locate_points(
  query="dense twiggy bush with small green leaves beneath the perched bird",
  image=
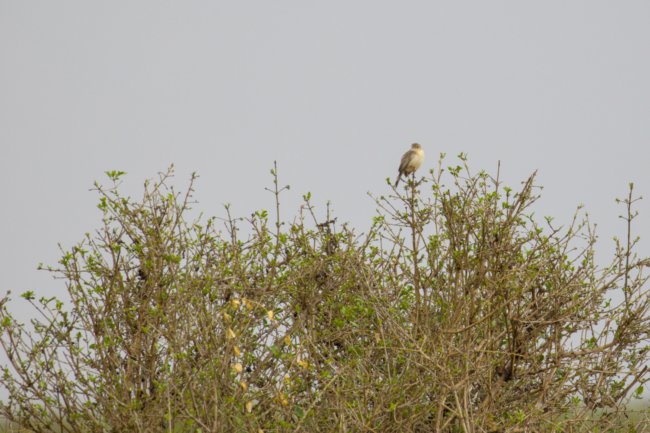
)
(457, 311)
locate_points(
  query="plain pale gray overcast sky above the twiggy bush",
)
(334, 90)
